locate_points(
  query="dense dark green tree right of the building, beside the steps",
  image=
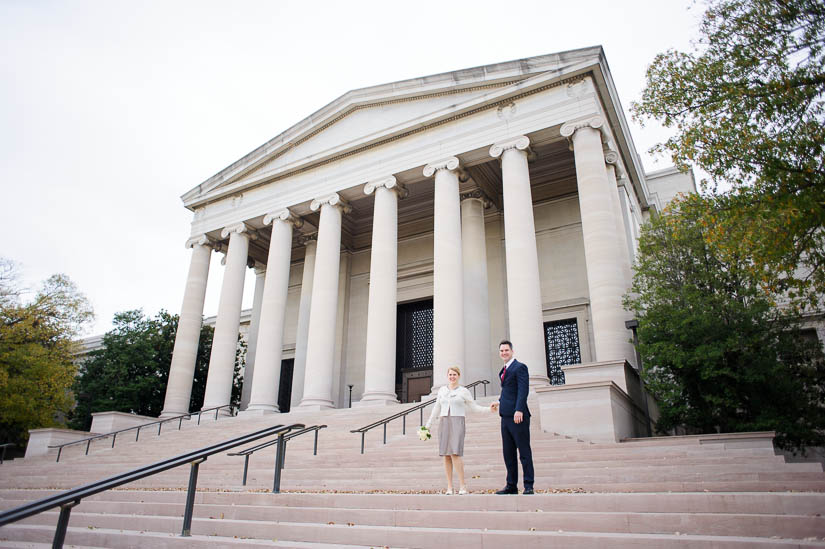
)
(718, 353)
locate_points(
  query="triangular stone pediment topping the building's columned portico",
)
(371, 114)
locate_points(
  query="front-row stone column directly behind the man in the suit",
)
(523, 281)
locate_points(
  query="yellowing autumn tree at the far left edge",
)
(36, 351)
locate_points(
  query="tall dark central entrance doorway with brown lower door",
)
(414, 350)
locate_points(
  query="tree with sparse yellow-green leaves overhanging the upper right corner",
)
(748, 107)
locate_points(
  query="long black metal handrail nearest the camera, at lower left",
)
(70, 498)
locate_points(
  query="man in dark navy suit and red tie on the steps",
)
(515, 420)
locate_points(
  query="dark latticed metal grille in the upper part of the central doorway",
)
(414, 337)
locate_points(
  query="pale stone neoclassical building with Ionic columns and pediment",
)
(410, 226)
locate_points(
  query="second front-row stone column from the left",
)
(225, 340)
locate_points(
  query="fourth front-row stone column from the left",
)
(321, 336)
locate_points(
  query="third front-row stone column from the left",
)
(264, 396)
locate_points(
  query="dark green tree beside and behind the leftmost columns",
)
(130, 371)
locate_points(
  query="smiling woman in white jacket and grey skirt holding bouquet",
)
(449, 407)
